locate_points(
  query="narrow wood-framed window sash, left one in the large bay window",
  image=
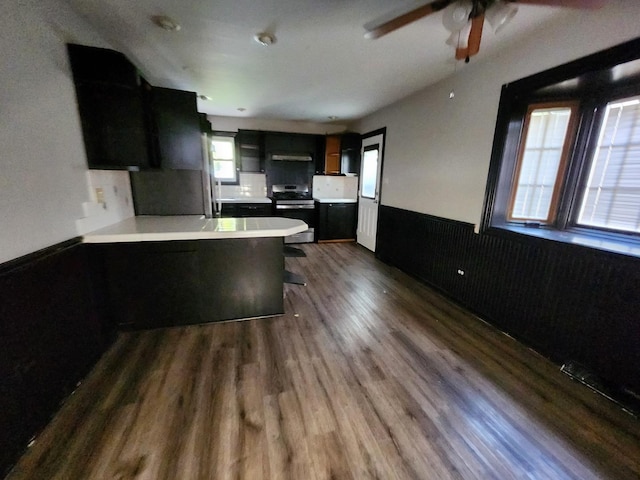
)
(541, 164)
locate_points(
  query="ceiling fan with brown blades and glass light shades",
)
(465, 19)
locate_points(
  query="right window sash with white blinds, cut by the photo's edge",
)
(611, 197)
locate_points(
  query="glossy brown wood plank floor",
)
(368, 375)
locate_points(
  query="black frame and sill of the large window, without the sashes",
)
(593, 82)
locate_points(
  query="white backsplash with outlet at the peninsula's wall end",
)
(111, 200)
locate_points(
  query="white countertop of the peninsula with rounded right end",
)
(193, 227)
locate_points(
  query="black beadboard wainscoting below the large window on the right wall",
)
(569, 303)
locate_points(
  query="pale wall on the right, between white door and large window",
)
(438, 150)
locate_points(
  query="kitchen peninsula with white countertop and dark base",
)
(177, 270)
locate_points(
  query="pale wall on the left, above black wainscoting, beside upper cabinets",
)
(43, 180)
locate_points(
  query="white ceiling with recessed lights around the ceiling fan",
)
(321, 65)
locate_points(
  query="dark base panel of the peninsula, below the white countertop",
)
(160, 284)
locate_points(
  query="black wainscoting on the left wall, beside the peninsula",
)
(51, 335)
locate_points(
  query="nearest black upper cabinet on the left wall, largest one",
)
(111, 108)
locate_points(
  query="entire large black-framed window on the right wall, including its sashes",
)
(566, 154)
